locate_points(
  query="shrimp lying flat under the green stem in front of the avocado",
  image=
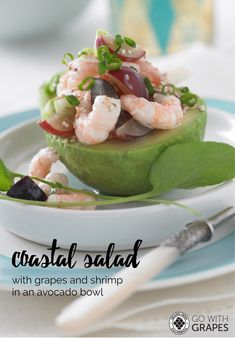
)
(76, 197)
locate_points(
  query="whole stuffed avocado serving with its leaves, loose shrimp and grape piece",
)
(123, 128)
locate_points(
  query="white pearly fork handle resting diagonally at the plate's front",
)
(84, 311)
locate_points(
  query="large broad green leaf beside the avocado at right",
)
(193, 165)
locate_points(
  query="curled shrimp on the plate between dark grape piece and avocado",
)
(41, 163)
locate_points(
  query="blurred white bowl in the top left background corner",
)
(29, 18)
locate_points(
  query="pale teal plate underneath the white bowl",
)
(210, 261)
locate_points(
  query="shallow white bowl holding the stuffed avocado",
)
(123, 225)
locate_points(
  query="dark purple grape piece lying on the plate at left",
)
(27, 189)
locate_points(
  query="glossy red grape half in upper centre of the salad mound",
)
(128, 81)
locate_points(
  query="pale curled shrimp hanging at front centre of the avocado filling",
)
(94, 128)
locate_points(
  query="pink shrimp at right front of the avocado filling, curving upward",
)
(165, 115)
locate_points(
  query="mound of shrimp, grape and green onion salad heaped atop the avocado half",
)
(113, 92)
